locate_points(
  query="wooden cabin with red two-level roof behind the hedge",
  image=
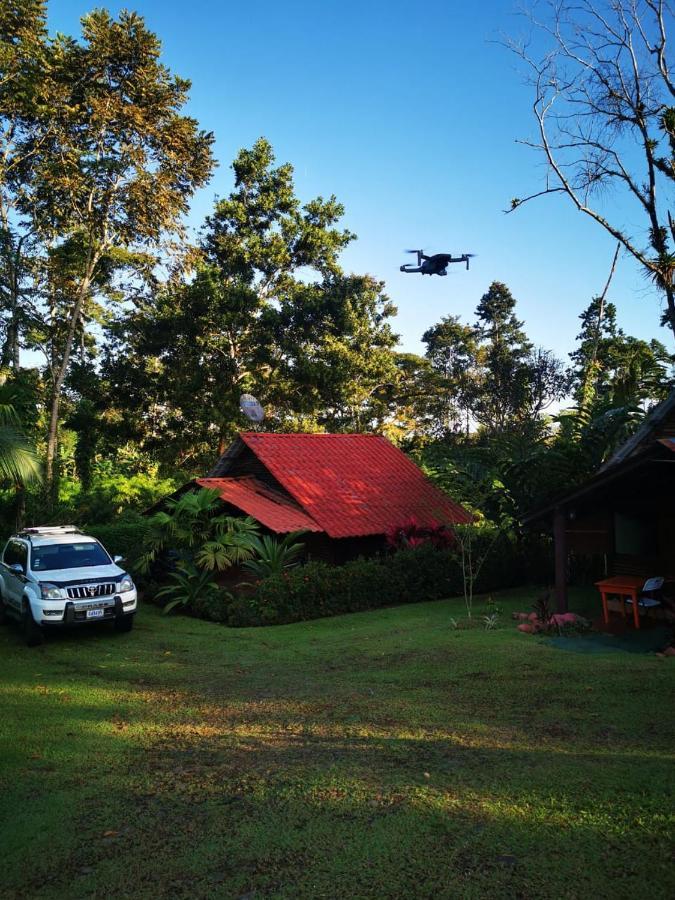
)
(346, 491)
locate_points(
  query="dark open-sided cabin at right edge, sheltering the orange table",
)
(622, 520)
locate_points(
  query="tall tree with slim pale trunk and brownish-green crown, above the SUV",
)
(112, 162)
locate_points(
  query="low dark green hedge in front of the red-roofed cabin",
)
(317, 589)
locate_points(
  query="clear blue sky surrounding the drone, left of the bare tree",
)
(409, 116)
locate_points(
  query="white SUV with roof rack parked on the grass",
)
(58, 576)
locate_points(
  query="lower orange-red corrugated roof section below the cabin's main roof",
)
(268, 507)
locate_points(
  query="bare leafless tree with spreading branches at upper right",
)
(604, 103)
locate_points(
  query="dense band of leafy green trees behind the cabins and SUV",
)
(148, 339)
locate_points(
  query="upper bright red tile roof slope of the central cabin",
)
(352, 484)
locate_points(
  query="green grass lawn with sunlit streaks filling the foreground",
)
(378, 755)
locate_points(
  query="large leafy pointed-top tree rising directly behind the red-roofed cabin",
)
(262, 306)
